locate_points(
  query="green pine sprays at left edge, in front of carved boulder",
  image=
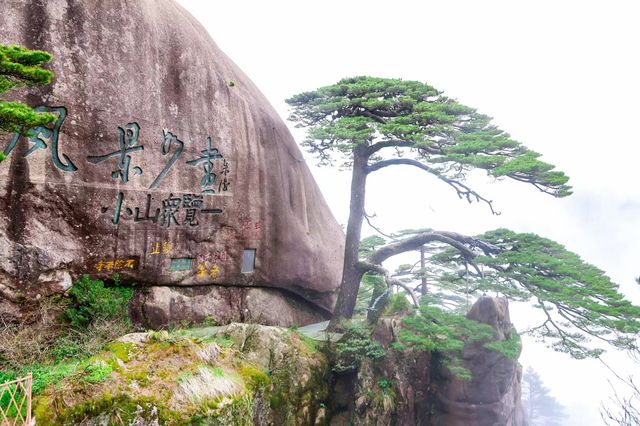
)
(21, 67)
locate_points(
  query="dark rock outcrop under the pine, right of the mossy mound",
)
(410, 387)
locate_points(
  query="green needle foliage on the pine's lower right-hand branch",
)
(579, 303)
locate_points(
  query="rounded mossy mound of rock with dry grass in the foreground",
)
(240, 374)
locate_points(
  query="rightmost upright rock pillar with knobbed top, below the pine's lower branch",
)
(492, 397)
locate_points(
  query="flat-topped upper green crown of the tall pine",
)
(421, 123)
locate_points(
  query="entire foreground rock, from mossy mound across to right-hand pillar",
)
(253, 374)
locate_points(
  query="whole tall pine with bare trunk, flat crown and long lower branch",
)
(368, 124)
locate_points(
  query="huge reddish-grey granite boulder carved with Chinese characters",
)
(166, 165)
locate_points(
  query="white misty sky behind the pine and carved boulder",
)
(562, 77)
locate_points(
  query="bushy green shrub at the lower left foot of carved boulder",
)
(91, 301)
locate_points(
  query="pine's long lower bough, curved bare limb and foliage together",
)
(578, 301)
